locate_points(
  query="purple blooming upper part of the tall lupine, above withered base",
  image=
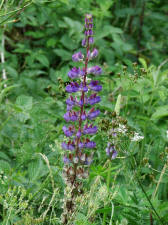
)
(82, 93)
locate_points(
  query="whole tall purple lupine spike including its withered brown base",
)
(78, 158)
